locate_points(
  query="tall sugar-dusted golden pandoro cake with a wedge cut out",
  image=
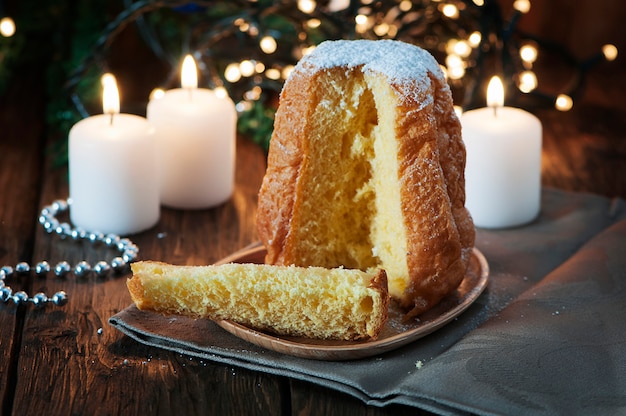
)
(366, 169)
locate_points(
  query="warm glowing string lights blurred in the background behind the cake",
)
(455, 28)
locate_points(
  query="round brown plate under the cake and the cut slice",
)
(395, 334)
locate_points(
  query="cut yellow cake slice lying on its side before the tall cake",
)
(313, 302)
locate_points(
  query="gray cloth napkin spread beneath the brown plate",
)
(548, 335)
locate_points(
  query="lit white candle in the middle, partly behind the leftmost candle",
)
(196, 134)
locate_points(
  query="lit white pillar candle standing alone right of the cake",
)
(503, 168)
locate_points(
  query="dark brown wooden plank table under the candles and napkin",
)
(70, 361)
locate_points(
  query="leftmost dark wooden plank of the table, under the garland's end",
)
(20, 172)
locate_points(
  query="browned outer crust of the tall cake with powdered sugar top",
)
(431, 163)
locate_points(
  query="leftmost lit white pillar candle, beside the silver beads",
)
(113, 170)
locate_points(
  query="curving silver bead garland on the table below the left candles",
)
(48, 219)
